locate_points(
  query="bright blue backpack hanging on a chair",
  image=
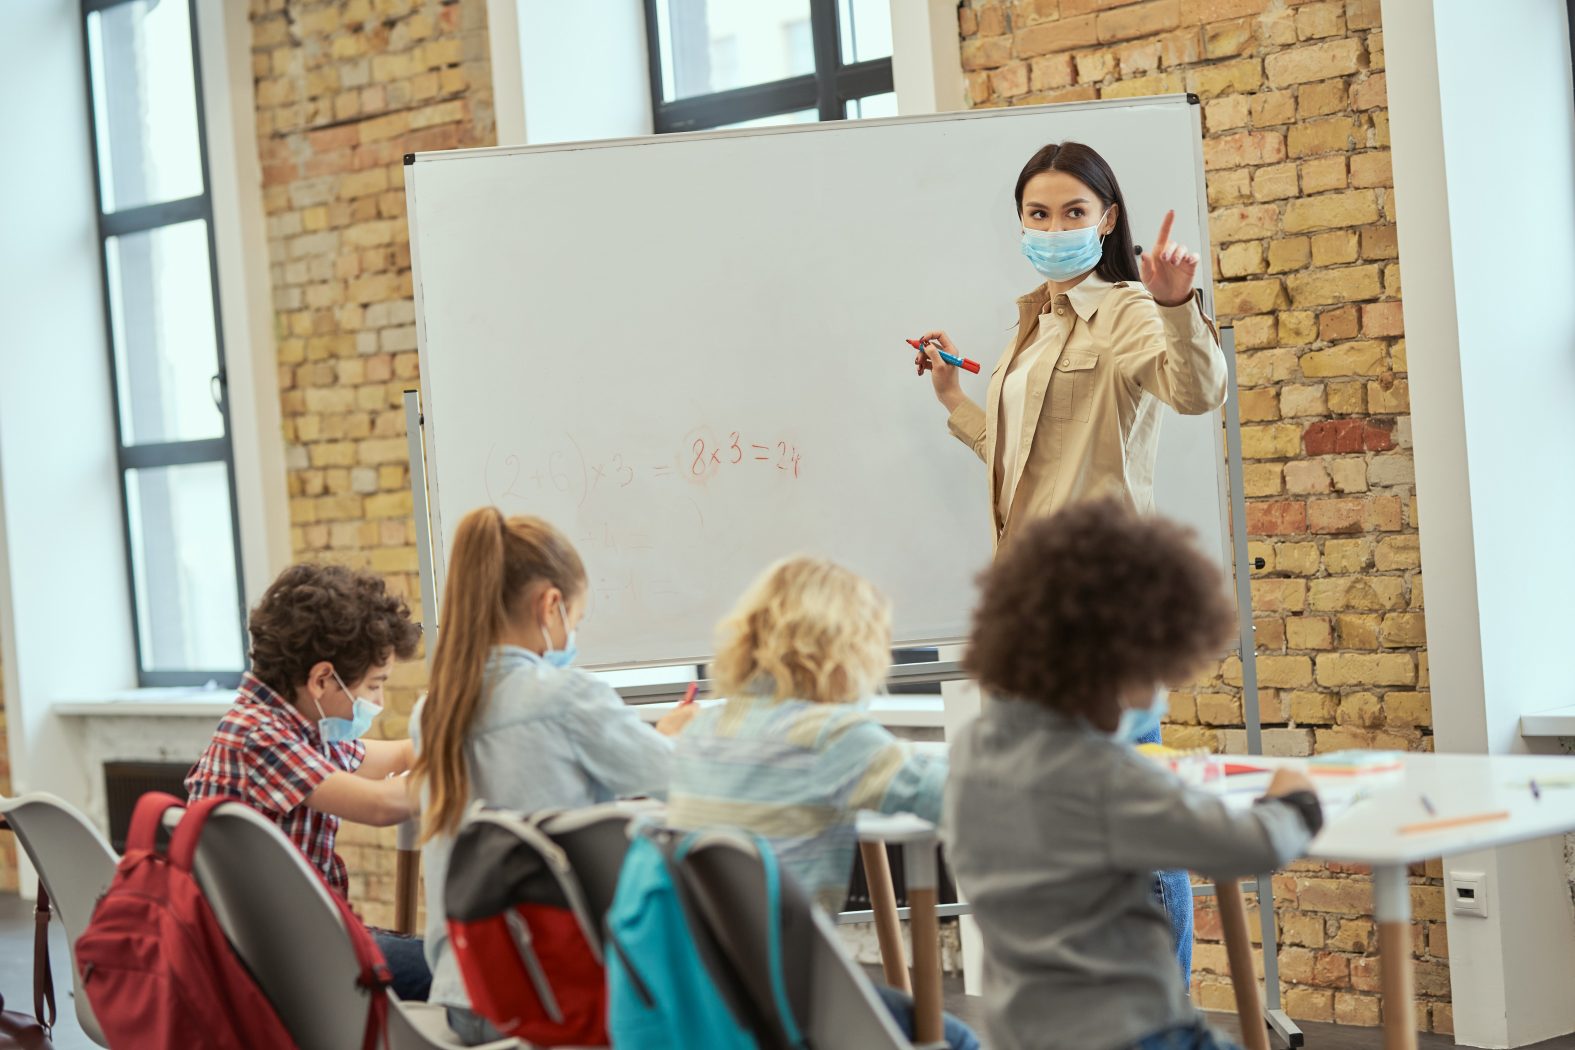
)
(662, 994)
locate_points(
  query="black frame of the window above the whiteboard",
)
(828, 91)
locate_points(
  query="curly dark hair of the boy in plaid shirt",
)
(314, 613)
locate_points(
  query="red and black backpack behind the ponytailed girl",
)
(524, 934)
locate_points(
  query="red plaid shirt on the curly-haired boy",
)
(269, 756)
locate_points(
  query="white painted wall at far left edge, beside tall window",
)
(65, 615)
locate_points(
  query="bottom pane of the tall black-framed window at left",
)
(183, 566)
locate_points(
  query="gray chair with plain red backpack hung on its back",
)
(289, 933)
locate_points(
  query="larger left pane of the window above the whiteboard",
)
(721, 45)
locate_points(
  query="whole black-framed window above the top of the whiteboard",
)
(749, 64)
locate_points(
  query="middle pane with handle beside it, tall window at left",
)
(161, 316)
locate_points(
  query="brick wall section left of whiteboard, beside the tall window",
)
(344, 91)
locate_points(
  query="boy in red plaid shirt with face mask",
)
(324, 643)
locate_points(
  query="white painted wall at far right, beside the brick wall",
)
(1484, 160)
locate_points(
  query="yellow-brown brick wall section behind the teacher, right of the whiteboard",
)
(1302, 216)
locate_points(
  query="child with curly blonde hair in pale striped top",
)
(791, 755)
